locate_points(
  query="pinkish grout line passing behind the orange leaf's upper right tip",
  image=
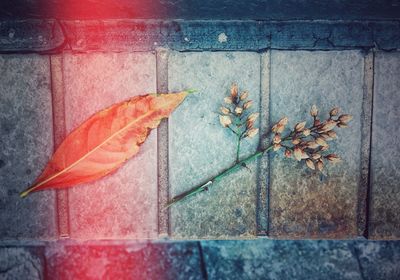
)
(162, 146)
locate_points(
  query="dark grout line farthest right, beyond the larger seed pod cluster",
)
(365, 184)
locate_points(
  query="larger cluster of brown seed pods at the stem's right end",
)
(309, 144)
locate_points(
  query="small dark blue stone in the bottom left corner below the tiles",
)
(21, 263)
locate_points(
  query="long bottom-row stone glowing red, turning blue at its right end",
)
(127, 261)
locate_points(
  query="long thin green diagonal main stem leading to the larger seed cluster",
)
(217, 178)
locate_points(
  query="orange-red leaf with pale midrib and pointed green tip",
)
(105, 141)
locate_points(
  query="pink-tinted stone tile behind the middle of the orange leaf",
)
(123, 204)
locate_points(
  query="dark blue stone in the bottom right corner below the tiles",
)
(379, 260)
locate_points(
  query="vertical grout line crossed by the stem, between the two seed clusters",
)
(263, 174)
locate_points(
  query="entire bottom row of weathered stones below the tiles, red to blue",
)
(255, 259)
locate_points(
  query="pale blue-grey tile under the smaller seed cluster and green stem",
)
(200, 148)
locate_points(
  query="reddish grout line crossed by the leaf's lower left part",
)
(59, 133)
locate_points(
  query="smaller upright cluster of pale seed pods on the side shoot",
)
(236, 114)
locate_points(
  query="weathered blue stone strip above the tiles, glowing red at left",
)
(49, 36)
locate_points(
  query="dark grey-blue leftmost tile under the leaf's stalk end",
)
(26, 143)
